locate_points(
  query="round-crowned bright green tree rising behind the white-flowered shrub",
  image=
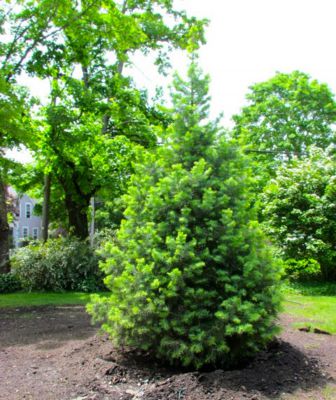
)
(284, 117)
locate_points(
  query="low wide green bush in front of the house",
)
(59, 264)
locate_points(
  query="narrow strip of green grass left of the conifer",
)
(41, 299)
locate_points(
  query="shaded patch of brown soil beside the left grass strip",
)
(47, 326)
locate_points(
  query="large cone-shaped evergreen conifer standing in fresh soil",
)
(191, 277)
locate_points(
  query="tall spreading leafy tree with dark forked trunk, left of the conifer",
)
(83, 49)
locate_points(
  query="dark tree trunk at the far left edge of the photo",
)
(4, 232)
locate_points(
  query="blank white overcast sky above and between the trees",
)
(248, 41)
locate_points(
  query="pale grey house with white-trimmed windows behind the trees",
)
(25, 225)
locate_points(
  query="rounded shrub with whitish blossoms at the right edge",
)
(299, 211)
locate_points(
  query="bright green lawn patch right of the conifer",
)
(314, 305)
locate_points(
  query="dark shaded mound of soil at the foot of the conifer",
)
(282, 368)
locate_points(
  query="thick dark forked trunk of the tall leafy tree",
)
(77, 213)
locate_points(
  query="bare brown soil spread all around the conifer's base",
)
(54, 353)
